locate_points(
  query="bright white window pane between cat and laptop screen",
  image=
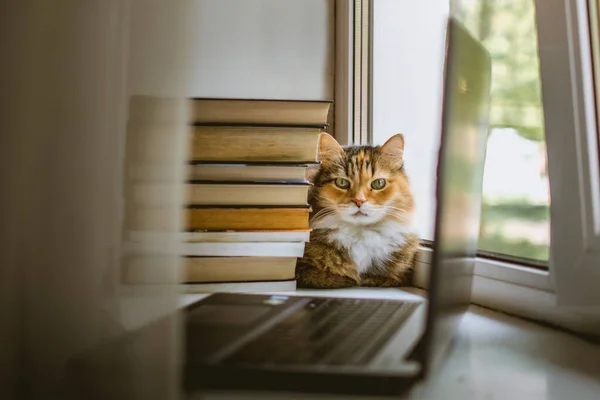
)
(408, 65)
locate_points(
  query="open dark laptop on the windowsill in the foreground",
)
(349, 345)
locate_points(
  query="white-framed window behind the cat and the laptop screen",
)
(543, 102)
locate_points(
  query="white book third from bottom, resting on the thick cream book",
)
(238, 249)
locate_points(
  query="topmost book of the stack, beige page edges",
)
(240, 111)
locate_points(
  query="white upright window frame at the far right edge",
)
(573, 167)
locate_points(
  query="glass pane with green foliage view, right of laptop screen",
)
(515, 215)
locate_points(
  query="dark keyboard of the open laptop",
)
(327, 332)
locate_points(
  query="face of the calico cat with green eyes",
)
(361, 185)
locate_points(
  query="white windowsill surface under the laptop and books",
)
(496, 356)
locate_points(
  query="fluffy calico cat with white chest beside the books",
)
(361, 219)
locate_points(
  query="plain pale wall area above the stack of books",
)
(279, 49)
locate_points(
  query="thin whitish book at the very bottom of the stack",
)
(239, 287)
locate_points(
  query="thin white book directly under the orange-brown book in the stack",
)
(272, 236)
